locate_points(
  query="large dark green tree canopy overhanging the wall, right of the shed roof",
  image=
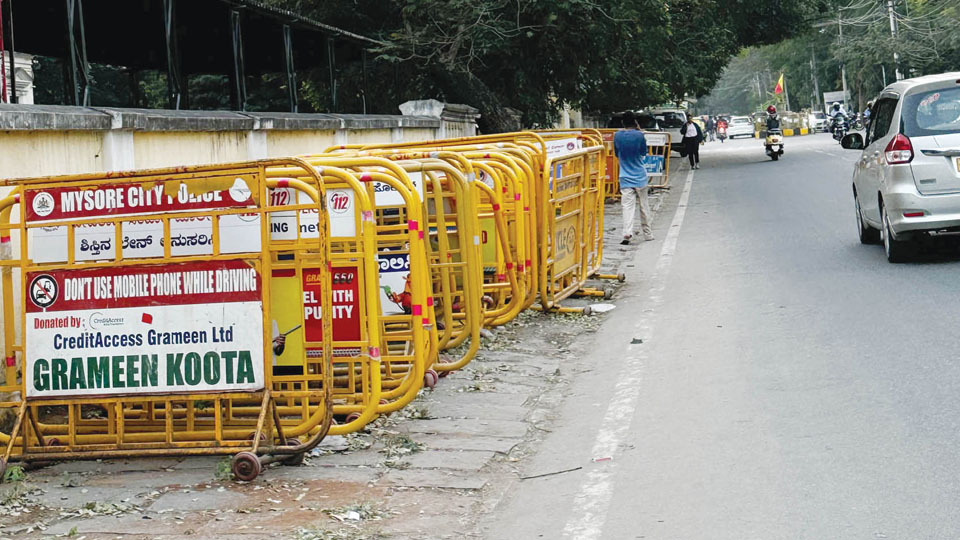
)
(534, 56)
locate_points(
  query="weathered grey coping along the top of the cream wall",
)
(17, 117)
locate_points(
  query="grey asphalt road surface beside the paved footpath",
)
(790, 383)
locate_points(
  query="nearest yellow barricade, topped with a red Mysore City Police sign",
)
(147, 321)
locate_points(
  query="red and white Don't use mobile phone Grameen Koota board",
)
(163, 329)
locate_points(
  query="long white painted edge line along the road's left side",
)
(590, 506)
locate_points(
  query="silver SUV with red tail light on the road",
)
(907, 182)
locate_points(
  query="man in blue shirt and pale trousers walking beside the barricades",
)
(629, 145)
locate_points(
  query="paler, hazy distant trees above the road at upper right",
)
(926, 42)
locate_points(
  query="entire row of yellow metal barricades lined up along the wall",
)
(251, 309)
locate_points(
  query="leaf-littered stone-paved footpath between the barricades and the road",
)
(431, 470)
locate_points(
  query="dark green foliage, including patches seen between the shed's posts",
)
(506, 57)
